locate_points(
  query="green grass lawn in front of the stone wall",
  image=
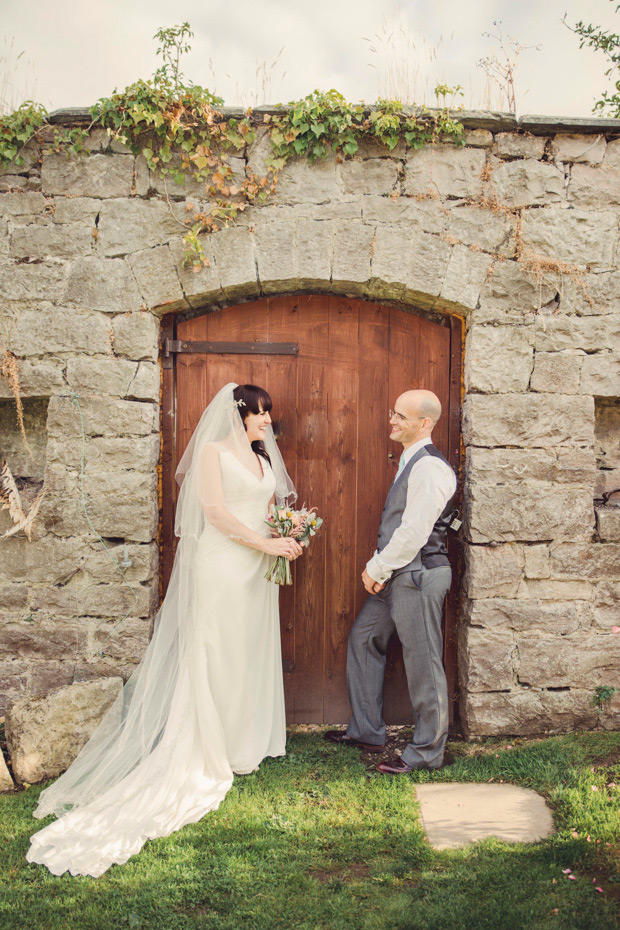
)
(314, 841)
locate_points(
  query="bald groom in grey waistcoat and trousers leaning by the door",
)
(407, 579)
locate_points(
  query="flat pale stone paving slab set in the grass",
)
(456, 814)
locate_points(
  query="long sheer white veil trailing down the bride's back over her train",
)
(157, 760)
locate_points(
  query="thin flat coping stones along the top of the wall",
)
(471, 119)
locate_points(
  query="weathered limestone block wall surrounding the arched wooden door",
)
(516, 232)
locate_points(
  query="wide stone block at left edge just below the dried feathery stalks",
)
(46, 560)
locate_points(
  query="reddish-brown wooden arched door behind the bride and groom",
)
(330, 407)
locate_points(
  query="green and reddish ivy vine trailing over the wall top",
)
(176, 126)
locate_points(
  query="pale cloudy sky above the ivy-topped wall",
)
(273, 51)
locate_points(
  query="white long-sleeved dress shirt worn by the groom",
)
(430, 486)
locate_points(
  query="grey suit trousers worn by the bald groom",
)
(412, 609)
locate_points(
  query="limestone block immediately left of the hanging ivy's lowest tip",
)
(133, 225)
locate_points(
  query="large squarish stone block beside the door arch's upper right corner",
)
(498, 359)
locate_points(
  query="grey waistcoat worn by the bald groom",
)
(434, 552)
